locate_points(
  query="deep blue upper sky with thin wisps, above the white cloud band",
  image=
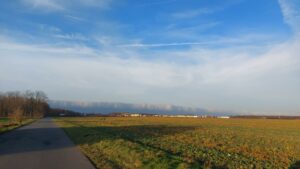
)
(146, 22)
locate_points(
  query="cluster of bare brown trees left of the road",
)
(29, 104)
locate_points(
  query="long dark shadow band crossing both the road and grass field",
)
(39, 138)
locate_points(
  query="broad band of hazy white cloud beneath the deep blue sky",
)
(223, 79)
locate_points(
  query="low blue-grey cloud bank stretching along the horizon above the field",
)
(111, 107)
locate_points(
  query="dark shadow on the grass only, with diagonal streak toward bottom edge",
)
(139, 135)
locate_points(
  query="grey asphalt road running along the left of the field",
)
(40, 145)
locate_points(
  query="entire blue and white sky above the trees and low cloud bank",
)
(222, 55)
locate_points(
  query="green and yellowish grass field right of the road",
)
(155, 142)
